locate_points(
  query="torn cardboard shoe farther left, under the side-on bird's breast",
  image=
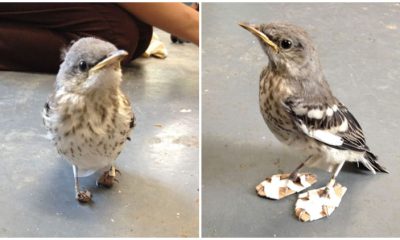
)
(280, 185)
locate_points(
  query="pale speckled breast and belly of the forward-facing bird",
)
(91, 135)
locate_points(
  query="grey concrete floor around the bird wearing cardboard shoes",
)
(359, 46)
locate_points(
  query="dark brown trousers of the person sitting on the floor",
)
(32, 35)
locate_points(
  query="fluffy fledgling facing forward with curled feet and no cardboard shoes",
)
(87, 116)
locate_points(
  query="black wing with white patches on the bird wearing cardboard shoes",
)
(332, 124)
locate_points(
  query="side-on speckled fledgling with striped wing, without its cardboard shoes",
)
(299, 107)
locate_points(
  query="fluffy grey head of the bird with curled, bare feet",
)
(90, 64)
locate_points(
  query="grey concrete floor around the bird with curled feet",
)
(158, 191)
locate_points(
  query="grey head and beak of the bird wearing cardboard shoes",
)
(288, 46)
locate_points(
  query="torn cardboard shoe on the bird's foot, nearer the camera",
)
(319, 203)
